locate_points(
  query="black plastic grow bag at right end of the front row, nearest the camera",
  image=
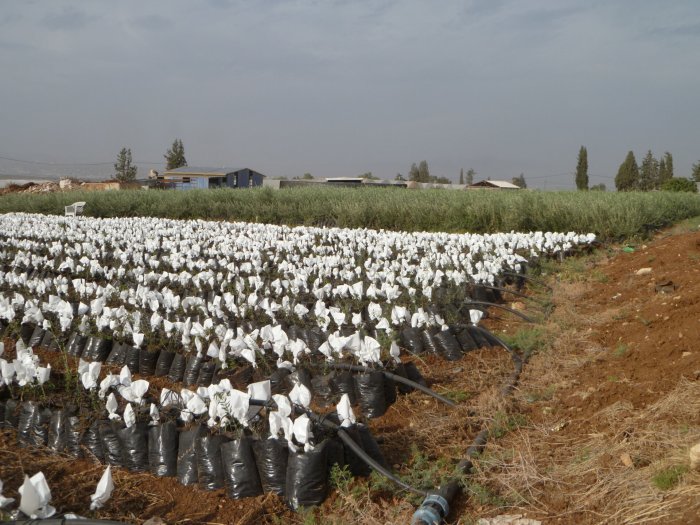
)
(307, 477)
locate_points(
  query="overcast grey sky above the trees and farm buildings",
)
(337, 88)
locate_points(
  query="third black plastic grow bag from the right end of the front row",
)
(240, 470)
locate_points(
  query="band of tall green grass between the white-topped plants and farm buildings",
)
(609, 215)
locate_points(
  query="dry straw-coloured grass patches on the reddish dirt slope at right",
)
(611, 472)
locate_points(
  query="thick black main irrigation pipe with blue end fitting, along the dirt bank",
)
(436, 505)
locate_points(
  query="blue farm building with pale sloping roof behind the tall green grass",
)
(189, 178)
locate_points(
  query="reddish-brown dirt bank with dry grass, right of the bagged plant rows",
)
(614, 404)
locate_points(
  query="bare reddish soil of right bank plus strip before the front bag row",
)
(610, 399)
